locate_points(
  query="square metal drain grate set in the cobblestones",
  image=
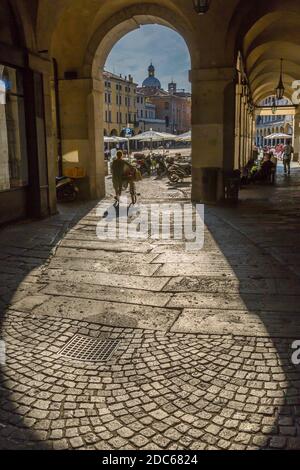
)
(83, 348)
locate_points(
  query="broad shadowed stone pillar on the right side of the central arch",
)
(213, 126)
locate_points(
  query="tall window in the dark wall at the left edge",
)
(13, 154)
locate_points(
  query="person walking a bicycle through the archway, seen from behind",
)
(123, 174)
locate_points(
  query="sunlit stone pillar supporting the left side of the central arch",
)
(82, 136)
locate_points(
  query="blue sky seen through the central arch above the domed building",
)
(159, 44)
